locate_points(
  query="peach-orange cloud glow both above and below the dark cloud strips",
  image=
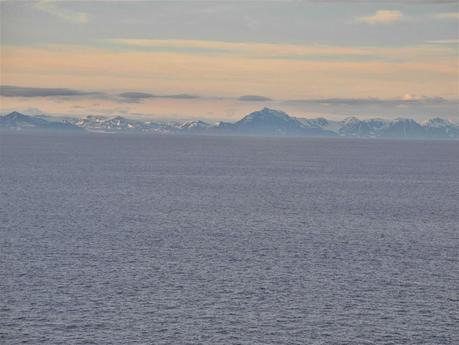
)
(278, 72)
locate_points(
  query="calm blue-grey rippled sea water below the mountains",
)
(108, 239)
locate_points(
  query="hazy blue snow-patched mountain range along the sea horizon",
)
(265, 122)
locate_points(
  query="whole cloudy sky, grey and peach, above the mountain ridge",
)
(219, 60)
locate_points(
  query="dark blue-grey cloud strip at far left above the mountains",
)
(18, 91)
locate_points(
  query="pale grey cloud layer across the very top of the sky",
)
(249, 21)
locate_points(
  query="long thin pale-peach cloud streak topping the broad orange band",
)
(272, 51)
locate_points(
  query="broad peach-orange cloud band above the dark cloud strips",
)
(421, 69)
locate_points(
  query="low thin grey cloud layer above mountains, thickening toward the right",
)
(410, 105)
